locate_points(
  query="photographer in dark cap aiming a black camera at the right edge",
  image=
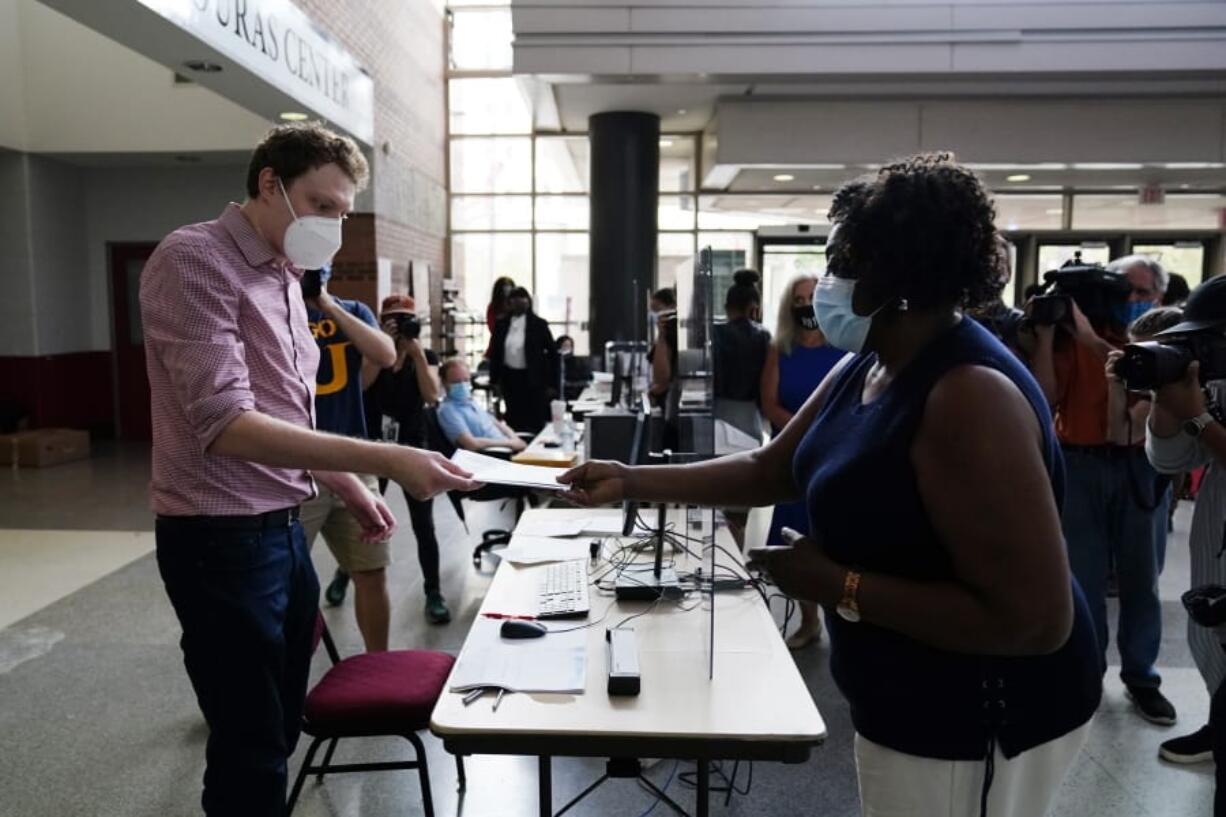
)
(1185, 434)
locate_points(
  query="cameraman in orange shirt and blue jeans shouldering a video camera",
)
(1077, 324)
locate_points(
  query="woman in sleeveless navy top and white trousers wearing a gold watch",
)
(934, 481)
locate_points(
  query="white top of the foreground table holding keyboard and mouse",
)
(757, 695)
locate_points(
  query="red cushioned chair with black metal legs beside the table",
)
(375, 695)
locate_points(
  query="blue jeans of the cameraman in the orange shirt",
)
(1103, 518)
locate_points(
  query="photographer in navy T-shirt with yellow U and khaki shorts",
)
(349, 340)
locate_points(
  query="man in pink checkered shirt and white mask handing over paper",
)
(232, 376)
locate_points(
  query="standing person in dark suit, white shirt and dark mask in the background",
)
(524, 364)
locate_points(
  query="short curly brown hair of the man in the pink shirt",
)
(294, 150)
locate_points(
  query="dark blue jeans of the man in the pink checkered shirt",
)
(248, 604)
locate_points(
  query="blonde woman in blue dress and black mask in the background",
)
(799, 361)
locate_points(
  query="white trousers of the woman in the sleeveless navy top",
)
(893, 784)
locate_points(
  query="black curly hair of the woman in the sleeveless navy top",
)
(923, 229)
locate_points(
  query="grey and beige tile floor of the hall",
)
(97, 716)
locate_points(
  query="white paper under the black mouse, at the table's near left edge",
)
(556, 663)
